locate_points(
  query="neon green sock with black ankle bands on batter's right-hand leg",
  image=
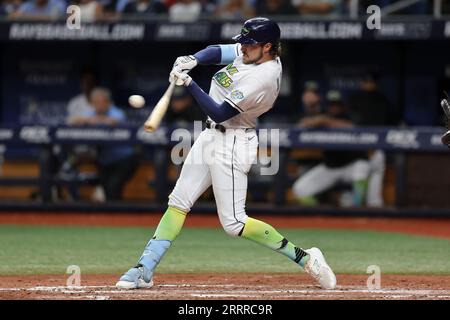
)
(266, 235)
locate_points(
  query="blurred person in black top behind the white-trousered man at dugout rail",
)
(369, 107)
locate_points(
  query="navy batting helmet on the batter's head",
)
(258, 30)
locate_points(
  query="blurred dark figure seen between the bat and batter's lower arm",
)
(183, 110)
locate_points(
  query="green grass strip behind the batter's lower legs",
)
(50, 249)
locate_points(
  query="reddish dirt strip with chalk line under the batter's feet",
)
(228, 287)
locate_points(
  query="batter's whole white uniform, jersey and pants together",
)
(223, 160)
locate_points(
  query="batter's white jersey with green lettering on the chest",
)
(251, 89)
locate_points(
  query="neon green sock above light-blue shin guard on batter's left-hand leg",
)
(170, 224)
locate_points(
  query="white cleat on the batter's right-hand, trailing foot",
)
(318, 268)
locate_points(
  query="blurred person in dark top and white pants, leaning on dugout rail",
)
(350, 167)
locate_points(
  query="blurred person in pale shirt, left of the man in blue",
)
(79, 105)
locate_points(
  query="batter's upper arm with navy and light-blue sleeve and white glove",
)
(220, 54)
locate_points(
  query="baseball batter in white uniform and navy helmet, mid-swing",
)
(240, 92)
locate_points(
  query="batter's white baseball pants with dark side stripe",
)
(222, 160)
